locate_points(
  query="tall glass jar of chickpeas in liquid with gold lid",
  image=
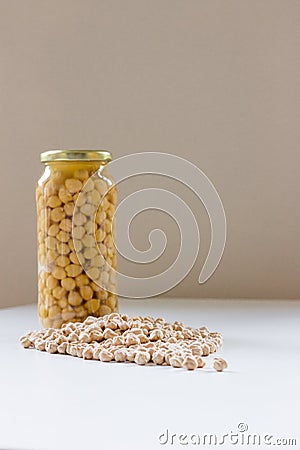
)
(76, 201)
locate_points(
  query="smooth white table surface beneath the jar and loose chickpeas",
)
(60, 402)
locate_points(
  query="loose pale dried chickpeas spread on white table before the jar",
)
(117, 337)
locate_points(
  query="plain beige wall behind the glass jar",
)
(216, 82)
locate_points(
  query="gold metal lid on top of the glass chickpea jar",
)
(76, 155)
